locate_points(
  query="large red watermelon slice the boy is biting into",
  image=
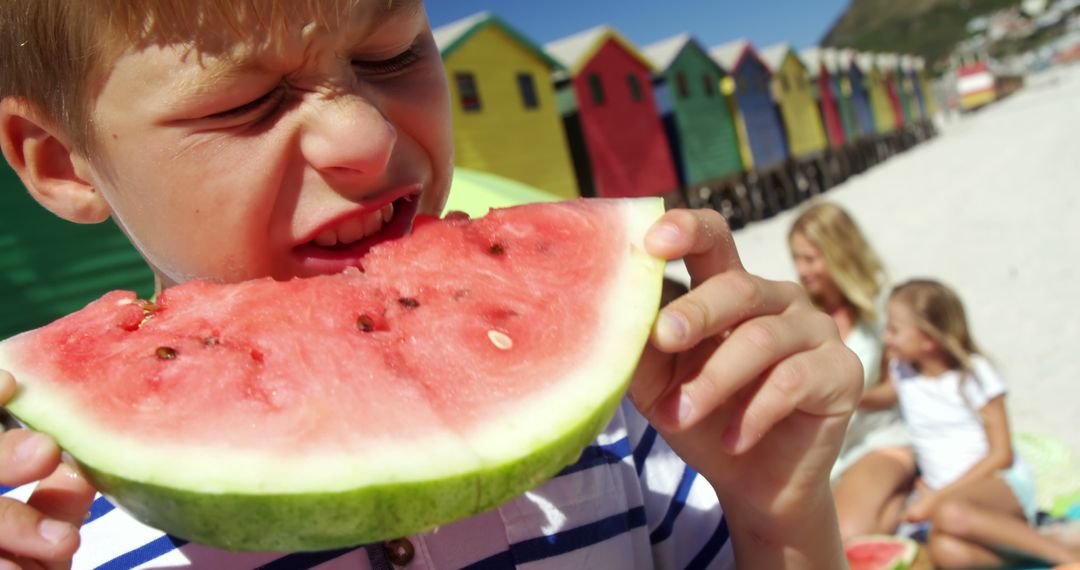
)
(465, 365)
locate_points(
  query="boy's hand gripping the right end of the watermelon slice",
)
(745, 378)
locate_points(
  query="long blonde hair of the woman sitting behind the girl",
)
(850, 261)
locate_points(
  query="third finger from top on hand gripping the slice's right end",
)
(742, 359)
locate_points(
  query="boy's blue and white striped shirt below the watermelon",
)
(629, 503)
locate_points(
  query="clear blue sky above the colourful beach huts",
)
(764, 22)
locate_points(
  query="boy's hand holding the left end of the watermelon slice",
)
(44, 533)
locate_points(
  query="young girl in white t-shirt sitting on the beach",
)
(977, 494)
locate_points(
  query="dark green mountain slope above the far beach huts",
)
(929, 29)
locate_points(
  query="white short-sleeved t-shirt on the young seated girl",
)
(942, 416)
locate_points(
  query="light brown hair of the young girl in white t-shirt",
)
(940, 314)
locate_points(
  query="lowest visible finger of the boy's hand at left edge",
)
(26, 533)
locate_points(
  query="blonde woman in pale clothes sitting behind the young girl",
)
(846, 279)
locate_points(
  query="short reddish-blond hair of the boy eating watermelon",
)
(56, 53)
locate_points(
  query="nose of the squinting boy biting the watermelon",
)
(348, 135)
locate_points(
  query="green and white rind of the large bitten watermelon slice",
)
(360, 512)
